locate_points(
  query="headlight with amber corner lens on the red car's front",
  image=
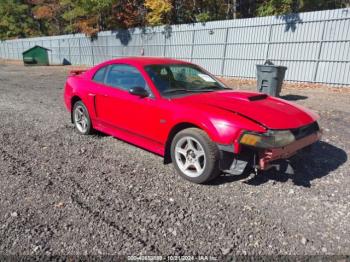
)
(270, 139)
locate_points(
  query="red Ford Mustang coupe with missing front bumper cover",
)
(180, 111)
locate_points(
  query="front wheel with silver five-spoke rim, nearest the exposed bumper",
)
(194, 156)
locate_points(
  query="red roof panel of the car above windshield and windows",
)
(144, 60)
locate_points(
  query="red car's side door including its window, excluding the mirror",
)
(118, 109)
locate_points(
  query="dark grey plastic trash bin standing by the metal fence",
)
(270, 78)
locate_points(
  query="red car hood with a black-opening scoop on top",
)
(271, 112)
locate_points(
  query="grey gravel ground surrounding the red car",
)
(62, 193)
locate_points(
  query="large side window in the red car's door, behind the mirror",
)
(125, 77)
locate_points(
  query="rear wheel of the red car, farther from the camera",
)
(81, 119)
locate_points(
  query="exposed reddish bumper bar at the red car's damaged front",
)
(271, 154)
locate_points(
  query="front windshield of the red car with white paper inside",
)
(180, 78)
